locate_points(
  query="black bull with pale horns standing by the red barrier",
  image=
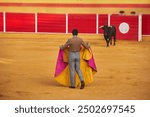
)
(109, 32)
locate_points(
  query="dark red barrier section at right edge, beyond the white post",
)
(146, 24)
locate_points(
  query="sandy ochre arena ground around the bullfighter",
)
(27, 67)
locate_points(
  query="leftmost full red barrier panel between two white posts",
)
(20, 22)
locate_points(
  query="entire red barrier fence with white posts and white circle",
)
(128, 27)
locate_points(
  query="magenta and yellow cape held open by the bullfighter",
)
(87, 66)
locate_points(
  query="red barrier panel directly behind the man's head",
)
(85, 23)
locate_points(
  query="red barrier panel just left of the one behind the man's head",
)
(52, 23)
